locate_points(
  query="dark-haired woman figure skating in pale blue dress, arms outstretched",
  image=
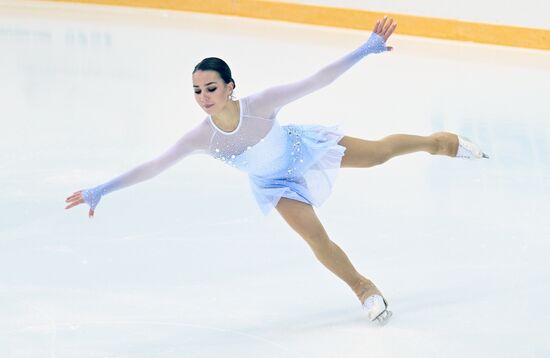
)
(290, 167)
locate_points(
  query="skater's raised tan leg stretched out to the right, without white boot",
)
(361, 153)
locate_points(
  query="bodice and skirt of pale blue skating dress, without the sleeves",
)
(299, 162)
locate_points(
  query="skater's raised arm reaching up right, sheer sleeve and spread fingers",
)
(274, 98)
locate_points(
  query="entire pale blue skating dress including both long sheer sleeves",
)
(298, 162)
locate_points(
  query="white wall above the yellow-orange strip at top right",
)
(526, 13)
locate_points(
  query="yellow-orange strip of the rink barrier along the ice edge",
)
(412, 25)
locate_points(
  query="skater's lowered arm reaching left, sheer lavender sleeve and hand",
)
(194, 141)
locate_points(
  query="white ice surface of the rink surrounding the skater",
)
(185, 265)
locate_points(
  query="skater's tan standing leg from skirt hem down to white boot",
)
(302, 218)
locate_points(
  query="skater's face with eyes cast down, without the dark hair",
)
(211, 92)
